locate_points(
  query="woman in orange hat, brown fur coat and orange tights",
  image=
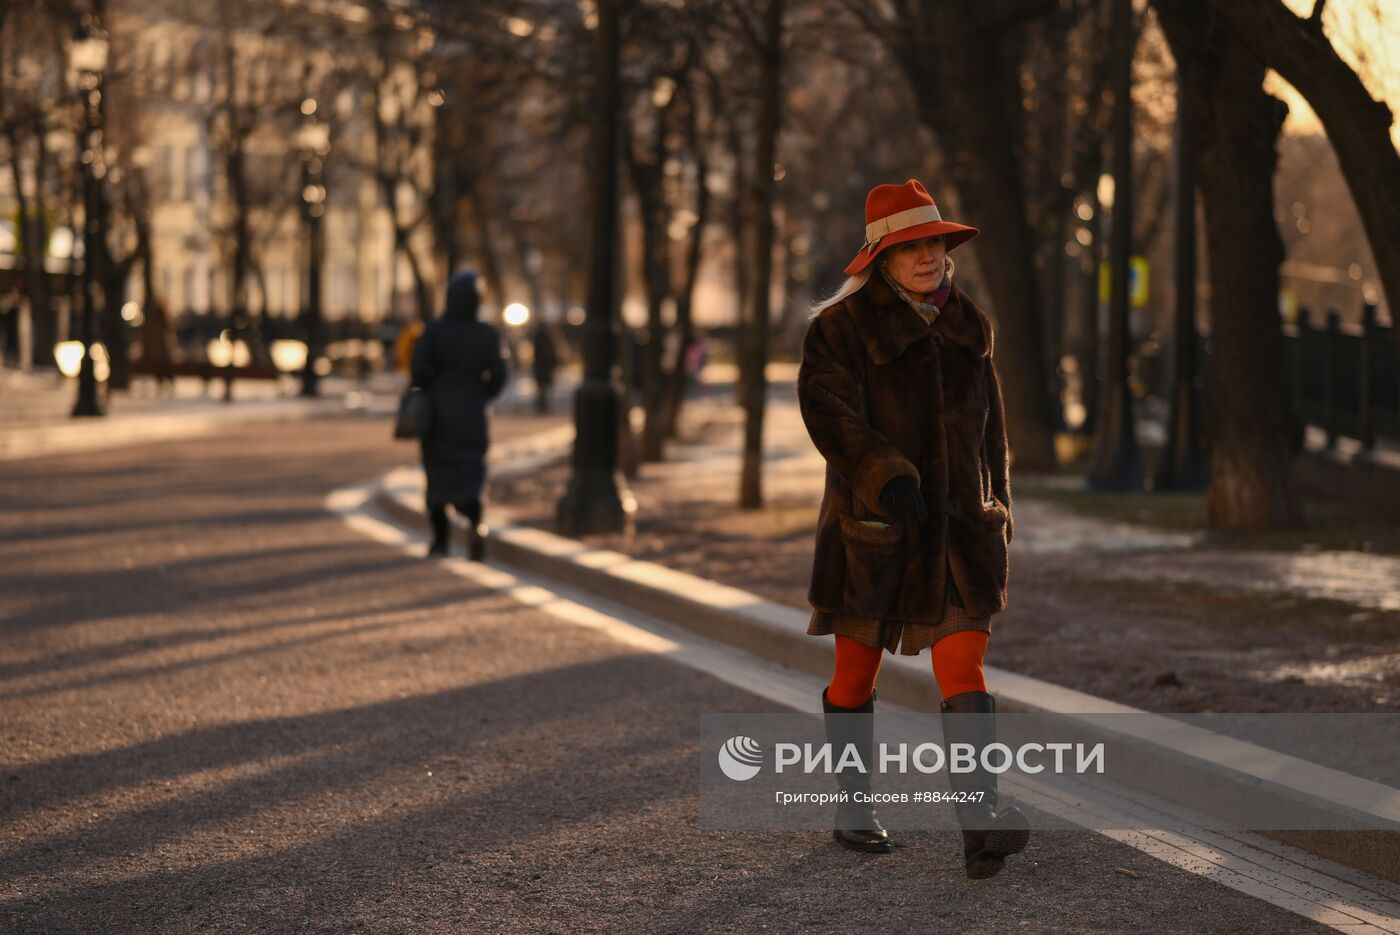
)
(901, 397)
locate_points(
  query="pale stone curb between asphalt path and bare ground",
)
(1226, 775)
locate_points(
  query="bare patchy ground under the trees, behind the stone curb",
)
(1112, 624)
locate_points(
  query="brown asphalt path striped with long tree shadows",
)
(225, 710)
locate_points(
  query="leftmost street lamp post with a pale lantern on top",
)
(89, 61)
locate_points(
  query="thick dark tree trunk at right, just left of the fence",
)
(1251, 446)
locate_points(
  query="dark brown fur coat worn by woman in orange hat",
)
(884, 394)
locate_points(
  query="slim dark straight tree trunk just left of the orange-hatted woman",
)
(755, 370)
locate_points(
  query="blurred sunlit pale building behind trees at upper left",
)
(181, 79)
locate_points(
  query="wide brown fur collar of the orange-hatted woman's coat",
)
(888, 325)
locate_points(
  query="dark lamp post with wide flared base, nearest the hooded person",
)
(594, 500)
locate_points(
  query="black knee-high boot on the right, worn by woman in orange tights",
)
(989, 836)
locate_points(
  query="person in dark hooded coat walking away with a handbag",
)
(458, 363)
